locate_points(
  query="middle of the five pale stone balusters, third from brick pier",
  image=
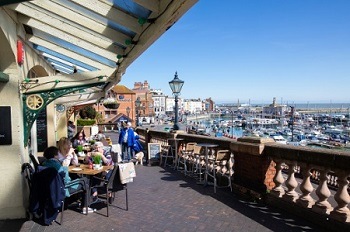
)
(306, 188)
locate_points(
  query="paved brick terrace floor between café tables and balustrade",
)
(165, 200)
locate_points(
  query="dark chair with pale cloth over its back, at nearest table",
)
(108, 186)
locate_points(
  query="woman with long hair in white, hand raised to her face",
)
(66, 153)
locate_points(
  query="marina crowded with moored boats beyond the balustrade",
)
(328, 128)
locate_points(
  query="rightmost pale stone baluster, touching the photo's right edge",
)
(341, 212)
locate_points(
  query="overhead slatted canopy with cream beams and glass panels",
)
(93, 36)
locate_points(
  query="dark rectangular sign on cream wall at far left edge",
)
(5, 125)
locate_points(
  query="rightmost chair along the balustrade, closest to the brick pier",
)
(223, 167)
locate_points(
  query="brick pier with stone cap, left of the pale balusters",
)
(252, 169)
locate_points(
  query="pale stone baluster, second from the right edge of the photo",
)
(322, 205)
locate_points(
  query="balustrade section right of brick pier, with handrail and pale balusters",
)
(328, 163)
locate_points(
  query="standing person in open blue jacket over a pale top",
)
(127, 141)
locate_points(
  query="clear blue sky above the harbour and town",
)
(252, 51)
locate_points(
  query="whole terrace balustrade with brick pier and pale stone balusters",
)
(308, 180)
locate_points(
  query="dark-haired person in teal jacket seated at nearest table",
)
(52, 154)
